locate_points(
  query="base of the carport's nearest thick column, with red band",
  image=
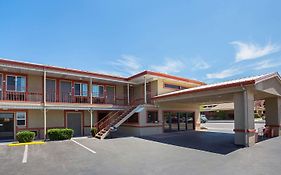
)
(245, 137)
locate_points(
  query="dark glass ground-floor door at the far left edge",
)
(6, 126)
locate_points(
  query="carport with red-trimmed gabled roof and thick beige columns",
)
(243, 93)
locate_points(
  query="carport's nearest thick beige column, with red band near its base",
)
(244, 125)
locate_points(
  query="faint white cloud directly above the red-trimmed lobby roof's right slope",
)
(170, 66)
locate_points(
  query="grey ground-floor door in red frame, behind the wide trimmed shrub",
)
(74, 122)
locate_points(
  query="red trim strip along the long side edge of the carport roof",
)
(208, 88)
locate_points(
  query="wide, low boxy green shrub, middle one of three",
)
(60, 134)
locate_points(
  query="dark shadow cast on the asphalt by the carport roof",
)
(220, 143)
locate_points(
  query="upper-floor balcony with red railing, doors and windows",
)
(23, 88)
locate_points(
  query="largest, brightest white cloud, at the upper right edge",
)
(248, 51)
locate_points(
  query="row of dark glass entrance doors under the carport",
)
(178, 121)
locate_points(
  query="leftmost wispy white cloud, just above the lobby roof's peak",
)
(127, 64)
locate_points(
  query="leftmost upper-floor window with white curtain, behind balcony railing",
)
(16, 83)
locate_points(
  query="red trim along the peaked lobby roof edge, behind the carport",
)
(165, 76)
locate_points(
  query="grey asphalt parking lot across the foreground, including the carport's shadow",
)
(173, 153)
